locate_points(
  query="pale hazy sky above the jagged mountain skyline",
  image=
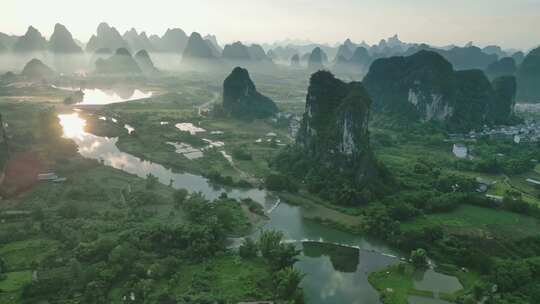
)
(510, 23)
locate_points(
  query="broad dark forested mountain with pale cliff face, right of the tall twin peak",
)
(424, 86)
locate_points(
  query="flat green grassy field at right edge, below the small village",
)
(479, 221)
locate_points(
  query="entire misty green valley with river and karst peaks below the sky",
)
(169, 169)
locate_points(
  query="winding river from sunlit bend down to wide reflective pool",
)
(336, 263)
